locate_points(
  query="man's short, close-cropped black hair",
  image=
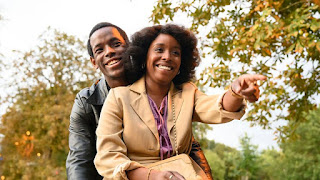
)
(102, 25)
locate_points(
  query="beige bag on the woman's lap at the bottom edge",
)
(183, 164)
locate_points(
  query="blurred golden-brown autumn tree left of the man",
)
(35, 126)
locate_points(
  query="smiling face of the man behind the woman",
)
(108, 47)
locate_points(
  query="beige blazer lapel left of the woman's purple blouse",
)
(141, 106)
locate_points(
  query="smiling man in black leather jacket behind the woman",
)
(106, 45)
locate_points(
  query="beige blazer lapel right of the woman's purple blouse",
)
(174, 101)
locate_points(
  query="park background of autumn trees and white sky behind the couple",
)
(44, 64)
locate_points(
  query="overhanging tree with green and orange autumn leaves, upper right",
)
(280, 39)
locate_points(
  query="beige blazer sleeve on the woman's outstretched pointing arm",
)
(208, 109)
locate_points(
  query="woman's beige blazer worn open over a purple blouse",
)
(127, 135)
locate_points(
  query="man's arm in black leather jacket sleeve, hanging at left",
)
(81, 142)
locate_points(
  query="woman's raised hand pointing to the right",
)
(246, 87)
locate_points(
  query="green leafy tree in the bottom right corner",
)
(302, 157)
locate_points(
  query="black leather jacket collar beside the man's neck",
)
(98, 92)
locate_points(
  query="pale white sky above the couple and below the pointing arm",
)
(25, 20)
